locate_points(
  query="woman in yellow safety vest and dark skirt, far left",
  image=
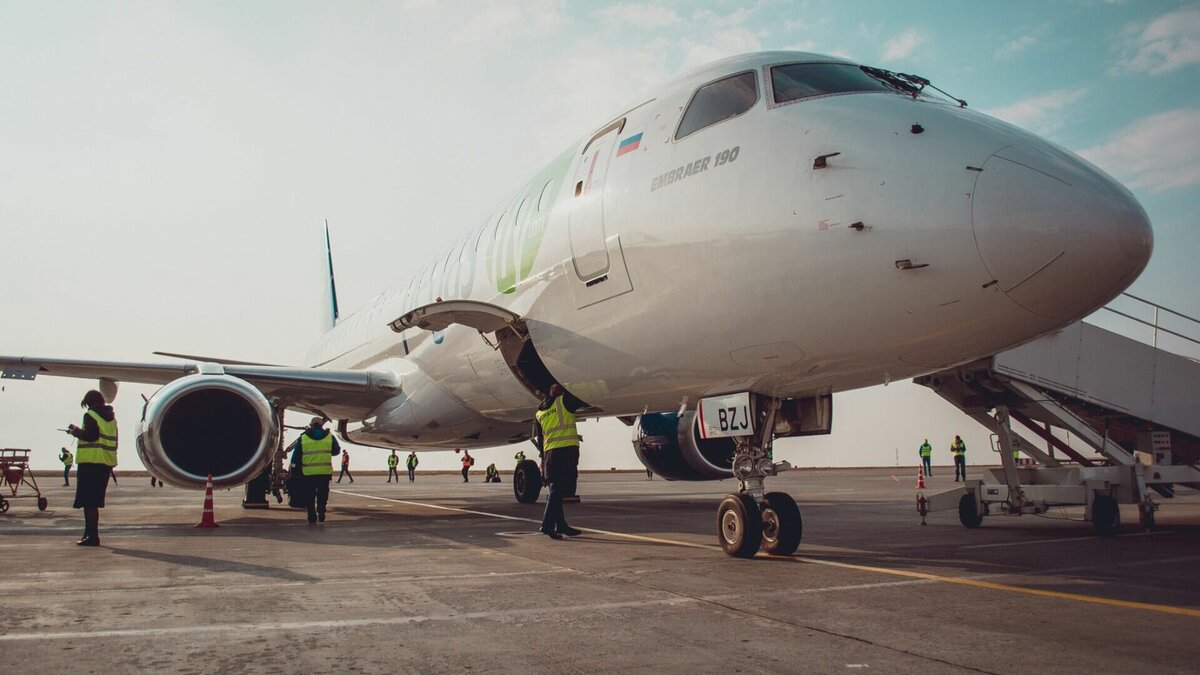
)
(98, 456)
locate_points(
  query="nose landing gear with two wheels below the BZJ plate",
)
(754, 518)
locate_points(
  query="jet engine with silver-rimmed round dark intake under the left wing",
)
(205, 425)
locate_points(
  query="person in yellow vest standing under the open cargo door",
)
(556, 437)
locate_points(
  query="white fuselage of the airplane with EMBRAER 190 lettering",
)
(725, 261)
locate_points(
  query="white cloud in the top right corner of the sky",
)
(1162, 46)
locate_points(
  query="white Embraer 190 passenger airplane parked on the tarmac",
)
(710, 266)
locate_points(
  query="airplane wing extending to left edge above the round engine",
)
(337, 393)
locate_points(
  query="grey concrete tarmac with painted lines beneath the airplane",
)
(440, 576)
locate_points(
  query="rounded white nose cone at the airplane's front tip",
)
(1058, 236)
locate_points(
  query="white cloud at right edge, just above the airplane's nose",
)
(1156, 153)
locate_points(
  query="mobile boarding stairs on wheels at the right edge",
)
(1123, 415)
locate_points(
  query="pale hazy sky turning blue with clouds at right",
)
(167, 166)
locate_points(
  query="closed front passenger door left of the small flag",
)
(590, 252)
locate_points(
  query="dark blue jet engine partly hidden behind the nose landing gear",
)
(670, 446)
